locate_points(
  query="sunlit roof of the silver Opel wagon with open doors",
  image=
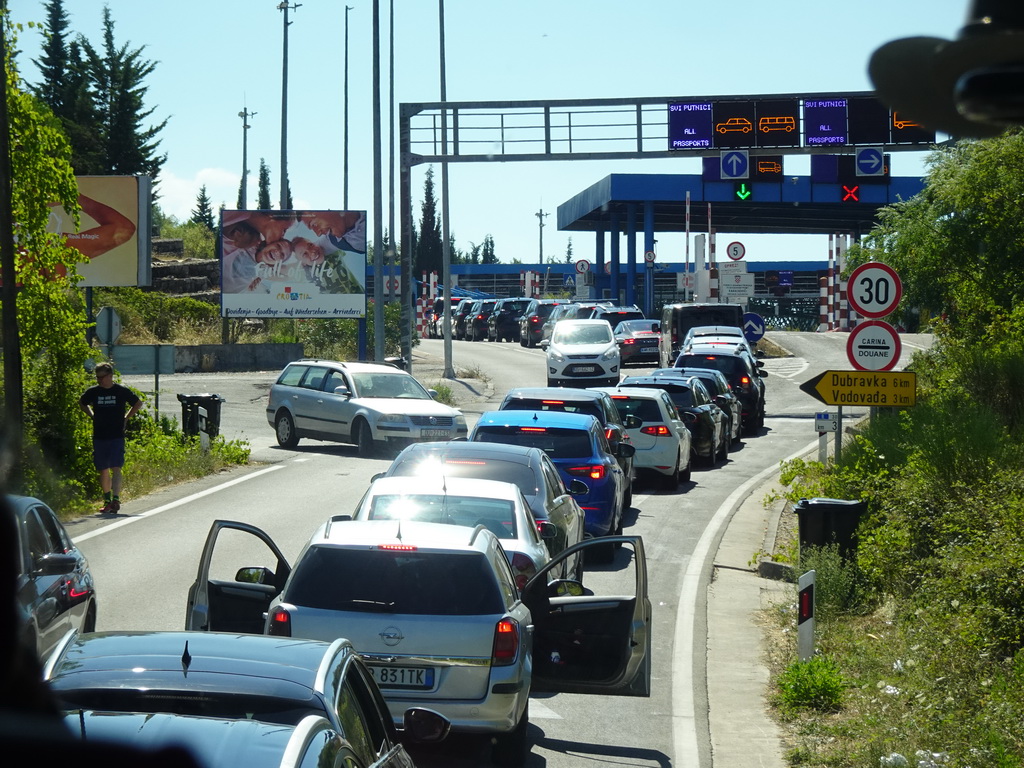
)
(425, 536)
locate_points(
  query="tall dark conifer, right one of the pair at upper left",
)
(117, 76)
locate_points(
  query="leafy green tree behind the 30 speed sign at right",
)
(958, 245)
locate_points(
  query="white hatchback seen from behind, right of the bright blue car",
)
(662, 441)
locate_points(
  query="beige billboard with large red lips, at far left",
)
(114, 231)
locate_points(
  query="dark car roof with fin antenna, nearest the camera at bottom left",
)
(246, 663)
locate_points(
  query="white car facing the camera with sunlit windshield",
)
(583, 353)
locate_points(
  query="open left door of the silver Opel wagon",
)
(227, 598)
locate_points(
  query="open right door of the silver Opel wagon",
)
(593, 638)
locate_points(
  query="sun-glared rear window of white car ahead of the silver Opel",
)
(497, 515)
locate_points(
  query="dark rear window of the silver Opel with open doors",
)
(378, 581)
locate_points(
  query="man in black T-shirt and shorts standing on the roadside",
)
(105, 404)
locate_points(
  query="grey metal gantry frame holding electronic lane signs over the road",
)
(553, 131)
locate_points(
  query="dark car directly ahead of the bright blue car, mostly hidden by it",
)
(573, 401)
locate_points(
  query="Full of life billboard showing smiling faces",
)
(293, 264)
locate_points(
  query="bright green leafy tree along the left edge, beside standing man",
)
(50, 338)
